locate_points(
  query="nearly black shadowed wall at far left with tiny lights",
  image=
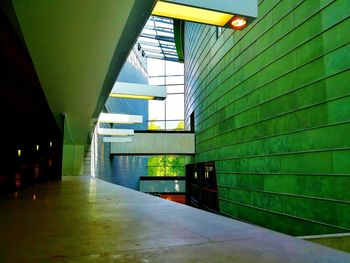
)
(26, 119)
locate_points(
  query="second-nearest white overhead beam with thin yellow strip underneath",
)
(134, 89)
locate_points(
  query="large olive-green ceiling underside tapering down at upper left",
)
(78, 47)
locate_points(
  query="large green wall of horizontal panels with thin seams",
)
(272, 109)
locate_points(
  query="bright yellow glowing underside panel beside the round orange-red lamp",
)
(191, 14)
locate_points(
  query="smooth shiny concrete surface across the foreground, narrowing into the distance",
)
(88, 220)
